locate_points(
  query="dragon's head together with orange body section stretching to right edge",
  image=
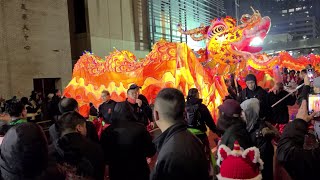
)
(232, 49)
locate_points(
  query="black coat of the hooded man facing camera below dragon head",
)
(258, 93)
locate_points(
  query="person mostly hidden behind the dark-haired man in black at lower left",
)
(67, 105)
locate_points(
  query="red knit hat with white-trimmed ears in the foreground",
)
(239, 164)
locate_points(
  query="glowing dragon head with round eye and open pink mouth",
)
(226, 42)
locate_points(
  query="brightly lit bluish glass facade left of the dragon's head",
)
(165, 15)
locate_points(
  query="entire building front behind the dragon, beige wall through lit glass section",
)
(42, 39)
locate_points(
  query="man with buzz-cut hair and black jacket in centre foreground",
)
(181, 154)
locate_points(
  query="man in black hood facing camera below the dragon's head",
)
(254, 91)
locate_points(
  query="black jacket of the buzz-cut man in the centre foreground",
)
(181, 155)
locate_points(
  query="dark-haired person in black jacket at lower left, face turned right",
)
(74, 151)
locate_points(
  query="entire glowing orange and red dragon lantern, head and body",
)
(229, 50)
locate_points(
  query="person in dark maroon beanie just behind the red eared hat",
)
(232, 125)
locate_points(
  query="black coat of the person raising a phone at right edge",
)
(299, 163)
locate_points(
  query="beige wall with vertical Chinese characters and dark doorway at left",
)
(35, 46)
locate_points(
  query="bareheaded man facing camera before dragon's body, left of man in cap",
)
(107, 107)
